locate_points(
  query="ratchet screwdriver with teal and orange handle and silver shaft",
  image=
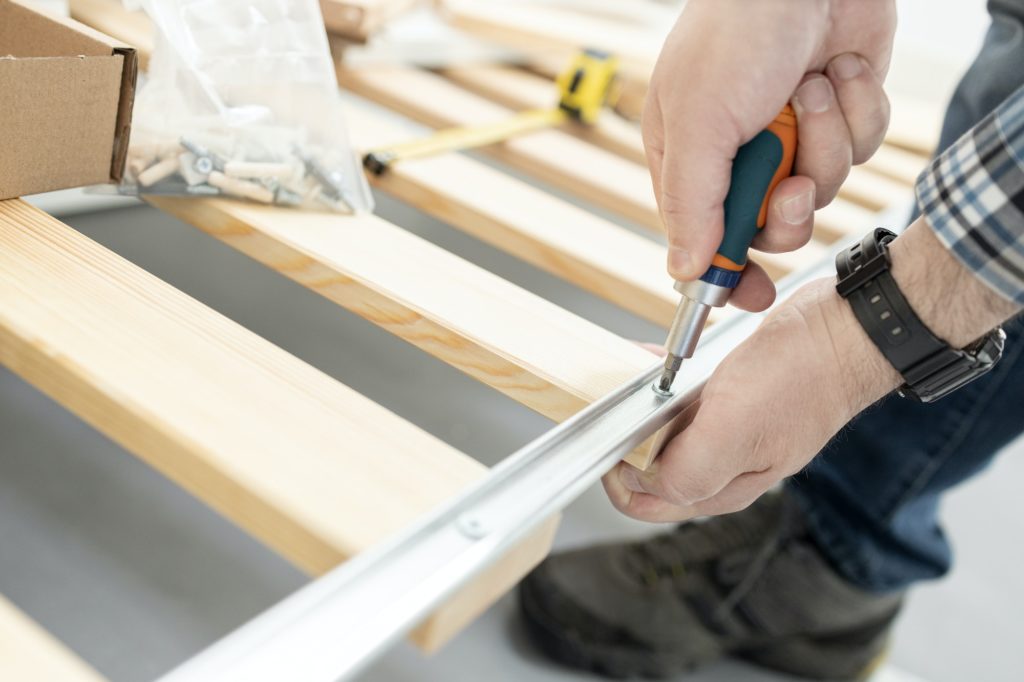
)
(760, 165)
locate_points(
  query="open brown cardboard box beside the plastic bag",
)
(66, 99)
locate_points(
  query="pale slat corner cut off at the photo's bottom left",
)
(29, 653)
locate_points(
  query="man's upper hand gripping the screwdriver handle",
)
(726, 72)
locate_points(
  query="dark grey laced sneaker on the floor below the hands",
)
(750, 585)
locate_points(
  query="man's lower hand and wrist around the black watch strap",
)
(776, 402)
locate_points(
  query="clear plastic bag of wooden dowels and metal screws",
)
(242, 101)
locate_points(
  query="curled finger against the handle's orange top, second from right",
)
(824, 146)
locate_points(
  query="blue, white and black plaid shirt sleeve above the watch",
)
(973, 197)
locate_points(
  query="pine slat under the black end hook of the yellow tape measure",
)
(551, 234)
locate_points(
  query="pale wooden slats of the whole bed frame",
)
(311, 467)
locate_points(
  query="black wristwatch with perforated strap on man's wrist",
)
(931, 368)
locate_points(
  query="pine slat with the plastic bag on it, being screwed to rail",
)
(523, 346)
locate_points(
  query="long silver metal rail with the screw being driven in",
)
(336, 626)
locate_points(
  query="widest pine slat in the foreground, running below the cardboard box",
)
(311, 467)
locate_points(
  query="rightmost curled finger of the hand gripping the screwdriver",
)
(864, 103)
